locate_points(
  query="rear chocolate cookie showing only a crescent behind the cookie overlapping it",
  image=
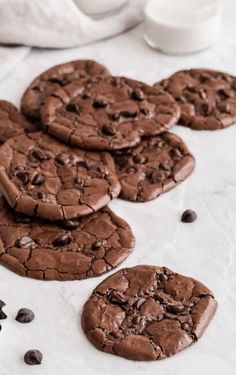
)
(56, 77)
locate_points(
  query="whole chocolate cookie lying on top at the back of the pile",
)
(108, 114)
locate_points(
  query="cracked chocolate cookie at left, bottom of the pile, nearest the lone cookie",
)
(67, 250)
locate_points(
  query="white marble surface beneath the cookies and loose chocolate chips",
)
(205, 249)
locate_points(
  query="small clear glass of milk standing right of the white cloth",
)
(181, 26)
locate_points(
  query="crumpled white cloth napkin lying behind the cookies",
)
(54, 24)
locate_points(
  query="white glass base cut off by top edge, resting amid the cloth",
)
(100, 8)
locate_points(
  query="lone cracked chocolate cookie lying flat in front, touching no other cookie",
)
(147, 313)
